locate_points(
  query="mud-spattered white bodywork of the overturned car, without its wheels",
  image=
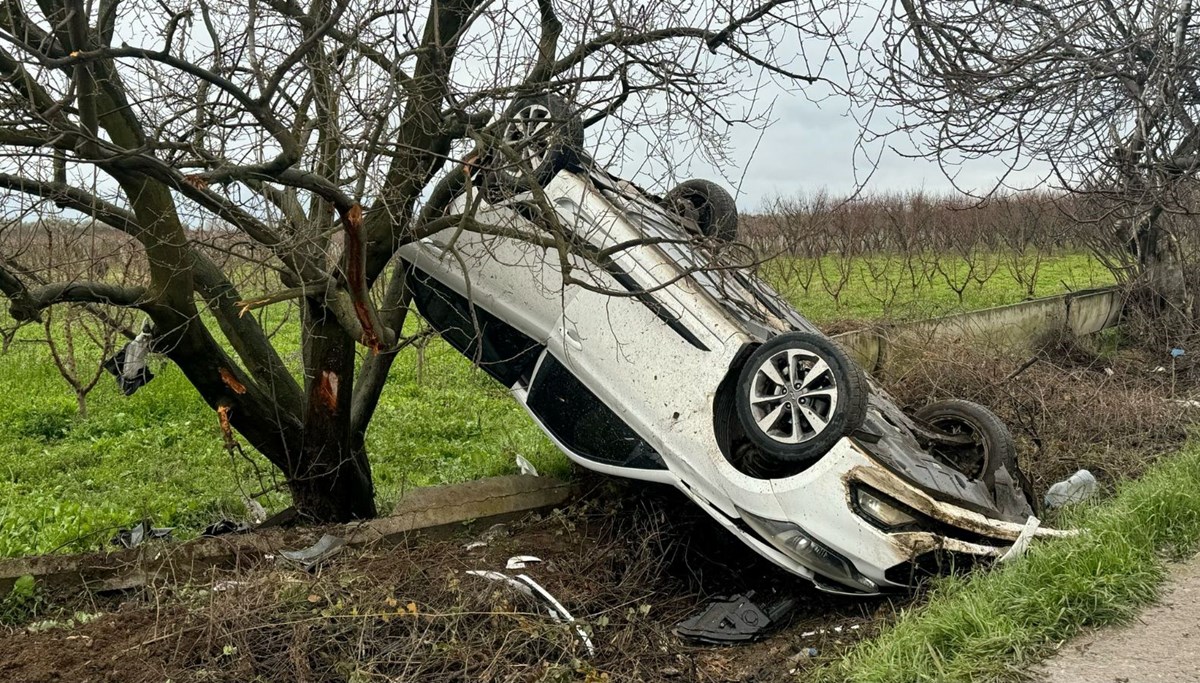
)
(657, 355)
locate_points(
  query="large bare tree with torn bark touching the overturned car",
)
(310, 141)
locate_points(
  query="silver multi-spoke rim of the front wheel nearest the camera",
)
(794, 397)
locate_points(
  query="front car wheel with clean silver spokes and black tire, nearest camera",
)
(797, 396)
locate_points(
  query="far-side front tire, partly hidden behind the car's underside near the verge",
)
(994, 446)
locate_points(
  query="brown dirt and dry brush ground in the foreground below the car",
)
(412, 614)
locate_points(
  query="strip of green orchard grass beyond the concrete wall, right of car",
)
(885, 287)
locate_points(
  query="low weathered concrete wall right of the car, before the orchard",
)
(1015, 327)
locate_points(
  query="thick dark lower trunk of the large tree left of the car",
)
(334, 484)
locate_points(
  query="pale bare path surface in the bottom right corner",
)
(1162, 645)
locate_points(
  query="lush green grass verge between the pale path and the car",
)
(991, 626)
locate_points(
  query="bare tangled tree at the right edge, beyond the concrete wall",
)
(1105, 94)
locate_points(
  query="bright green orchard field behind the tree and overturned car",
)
(69, 484)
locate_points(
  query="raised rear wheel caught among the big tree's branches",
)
(548, 135)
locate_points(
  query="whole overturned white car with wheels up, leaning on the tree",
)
(661, 362)
